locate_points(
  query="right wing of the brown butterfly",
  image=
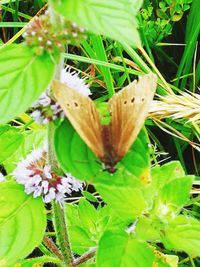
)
(128, 109)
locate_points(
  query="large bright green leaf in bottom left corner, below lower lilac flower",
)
(22, 223)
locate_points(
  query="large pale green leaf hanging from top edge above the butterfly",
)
(115, 18)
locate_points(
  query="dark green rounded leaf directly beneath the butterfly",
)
(75, 157)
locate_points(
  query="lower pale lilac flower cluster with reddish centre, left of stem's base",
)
(35, 174)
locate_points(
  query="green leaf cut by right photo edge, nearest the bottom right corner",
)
(182, 234)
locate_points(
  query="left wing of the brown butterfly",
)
(83, 115)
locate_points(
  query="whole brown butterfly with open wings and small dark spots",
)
(128, 110)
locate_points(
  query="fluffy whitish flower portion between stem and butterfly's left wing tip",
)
(72, 80)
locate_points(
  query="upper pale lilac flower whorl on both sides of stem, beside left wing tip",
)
(47, 109)
